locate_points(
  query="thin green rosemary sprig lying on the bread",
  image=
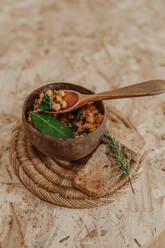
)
(121, 162)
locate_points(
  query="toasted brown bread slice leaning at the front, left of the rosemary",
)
(96, 176)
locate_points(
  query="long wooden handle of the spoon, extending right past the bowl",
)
(147, 88)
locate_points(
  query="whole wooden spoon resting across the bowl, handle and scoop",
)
(76, 100)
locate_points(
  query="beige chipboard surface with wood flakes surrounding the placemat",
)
(99, 44)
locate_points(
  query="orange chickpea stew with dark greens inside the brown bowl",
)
(81, 121)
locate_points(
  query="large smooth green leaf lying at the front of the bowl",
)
(49, 126)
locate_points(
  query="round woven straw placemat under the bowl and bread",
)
(52, 180)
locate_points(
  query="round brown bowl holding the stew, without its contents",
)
(60, 148)
